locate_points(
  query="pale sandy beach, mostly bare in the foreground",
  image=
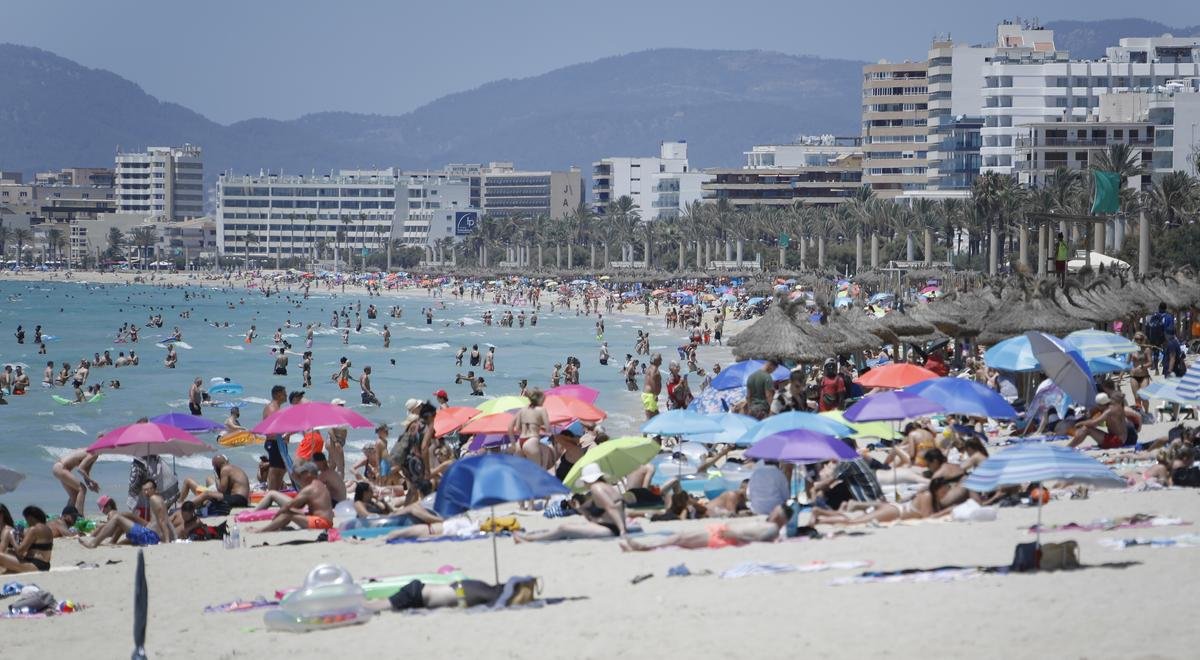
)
(1135, 603)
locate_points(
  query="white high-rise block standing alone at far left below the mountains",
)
(163, 181)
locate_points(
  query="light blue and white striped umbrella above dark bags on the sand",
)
(1040, 463)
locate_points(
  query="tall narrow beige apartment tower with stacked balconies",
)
(896, 128)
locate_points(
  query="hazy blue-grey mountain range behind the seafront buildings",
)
(58, 113)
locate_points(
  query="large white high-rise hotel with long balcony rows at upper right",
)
(1039, 85)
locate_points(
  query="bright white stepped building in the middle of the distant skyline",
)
(662, 188)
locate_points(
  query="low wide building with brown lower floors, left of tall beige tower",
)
(819, 171)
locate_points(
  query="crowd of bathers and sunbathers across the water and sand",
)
(308, 481)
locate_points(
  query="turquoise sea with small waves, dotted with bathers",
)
(85, 320)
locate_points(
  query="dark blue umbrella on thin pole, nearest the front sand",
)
(491, 479)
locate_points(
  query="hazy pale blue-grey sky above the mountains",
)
(239, 59)
